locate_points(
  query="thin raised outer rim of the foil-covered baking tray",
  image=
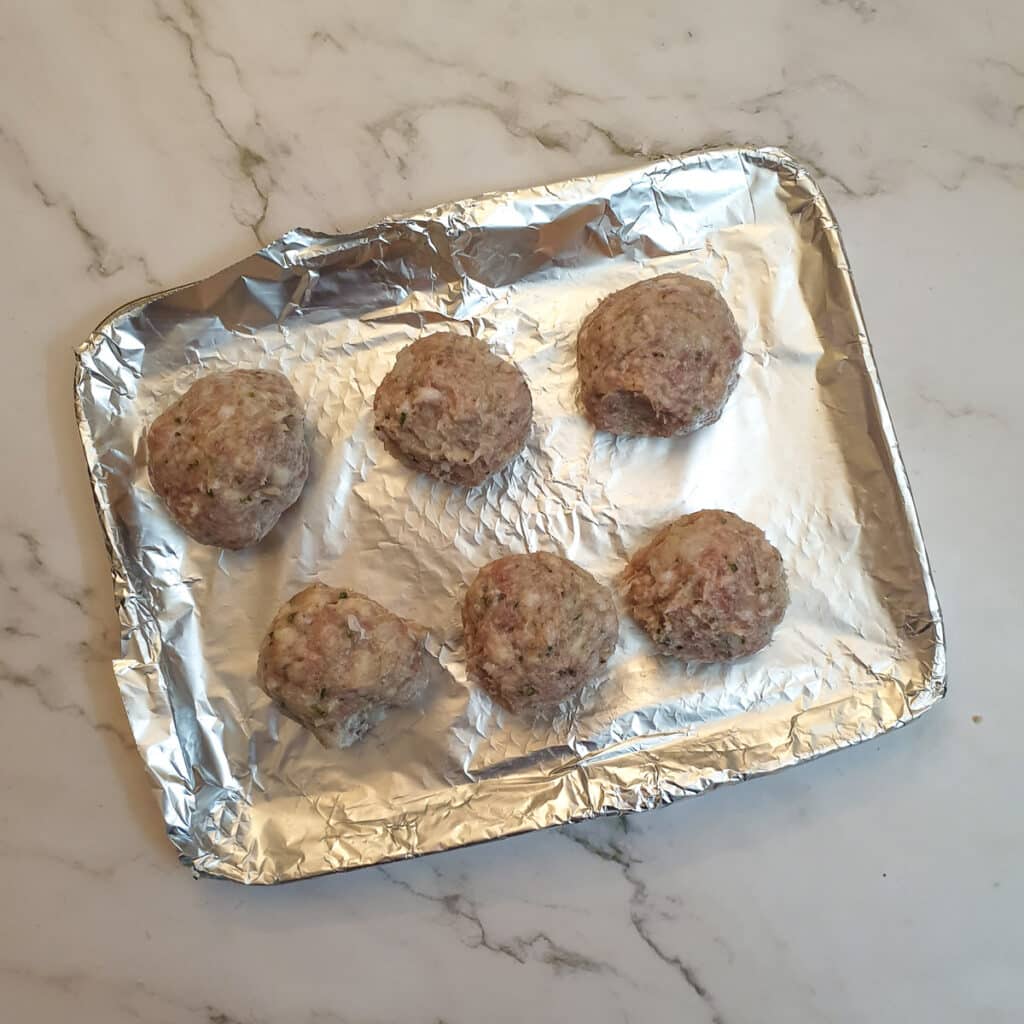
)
(933, 688)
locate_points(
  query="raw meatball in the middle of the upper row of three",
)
(454, 410)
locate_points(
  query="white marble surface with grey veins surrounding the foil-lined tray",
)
(145, 145)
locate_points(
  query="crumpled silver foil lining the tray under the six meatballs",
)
(805, 449)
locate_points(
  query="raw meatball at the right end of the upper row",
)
(660, 358)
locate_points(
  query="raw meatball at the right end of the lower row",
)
(710, 587)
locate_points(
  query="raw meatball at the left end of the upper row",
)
(230, 456)
